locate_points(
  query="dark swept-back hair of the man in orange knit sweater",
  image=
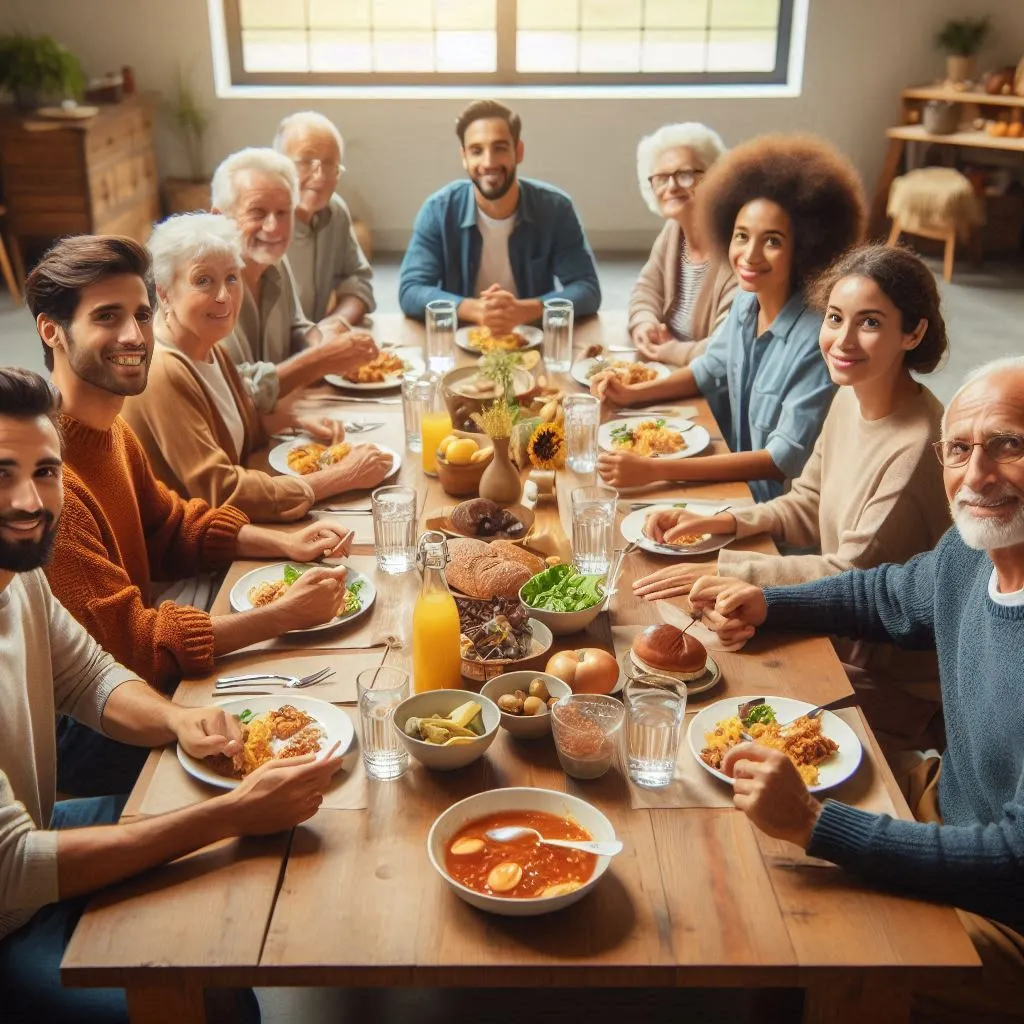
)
(55, 287)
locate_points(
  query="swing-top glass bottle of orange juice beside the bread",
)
(437, 656)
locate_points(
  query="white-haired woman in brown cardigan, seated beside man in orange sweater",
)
(196, 419)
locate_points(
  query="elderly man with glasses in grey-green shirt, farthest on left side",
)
(331, 272)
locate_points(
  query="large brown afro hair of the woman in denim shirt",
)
(817, 186)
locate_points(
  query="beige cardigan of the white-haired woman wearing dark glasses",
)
(655, 293)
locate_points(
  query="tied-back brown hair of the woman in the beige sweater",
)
(908, 284)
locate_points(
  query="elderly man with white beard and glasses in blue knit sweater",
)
(967, 599)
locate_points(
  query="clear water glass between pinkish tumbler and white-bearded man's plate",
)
(656, 707)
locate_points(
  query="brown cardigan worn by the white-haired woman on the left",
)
(191, 448)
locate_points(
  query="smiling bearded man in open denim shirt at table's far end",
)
(496, 244)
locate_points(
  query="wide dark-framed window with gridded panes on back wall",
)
(508, 42)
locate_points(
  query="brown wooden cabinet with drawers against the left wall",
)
(95, 177)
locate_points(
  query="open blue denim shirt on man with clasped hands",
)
(547, 243)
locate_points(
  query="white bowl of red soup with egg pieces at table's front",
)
(521, 879)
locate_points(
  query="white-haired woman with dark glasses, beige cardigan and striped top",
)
(682, 293)
